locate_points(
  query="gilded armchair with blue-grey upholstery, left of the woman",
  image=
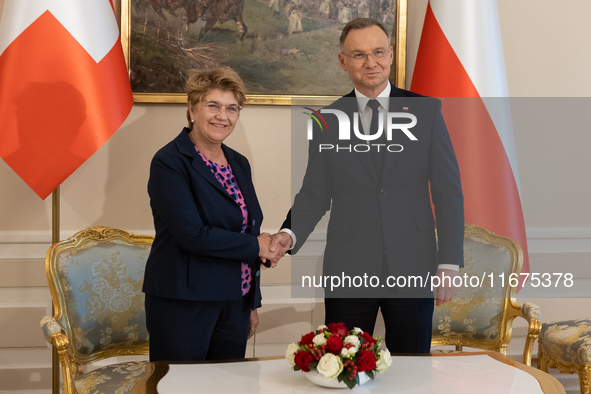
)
(95, 278)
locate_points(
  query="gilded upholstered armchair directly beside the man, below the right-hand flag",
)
(482, 314)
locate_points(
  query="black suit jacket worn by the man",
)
(388, 218)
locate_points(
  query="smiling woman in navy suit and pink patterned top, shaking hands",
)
(202, 279)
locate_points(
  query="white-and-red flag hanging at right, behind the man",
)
(460, 59)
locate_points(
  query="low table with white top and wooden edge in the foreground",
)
(482, 372)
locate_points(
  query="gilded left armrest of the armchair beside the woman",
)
(53, 333)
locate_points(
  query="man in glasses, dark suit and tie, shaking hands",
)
(381, 220)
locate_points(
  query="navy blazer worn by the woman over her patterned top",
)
(198, 247)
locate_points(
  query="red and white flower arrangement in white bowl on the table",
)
(336, 353)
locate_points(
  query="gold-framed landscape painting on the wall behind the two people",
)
(280, 48)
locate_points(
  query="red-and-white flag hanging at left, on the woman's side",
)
(64, 87)
